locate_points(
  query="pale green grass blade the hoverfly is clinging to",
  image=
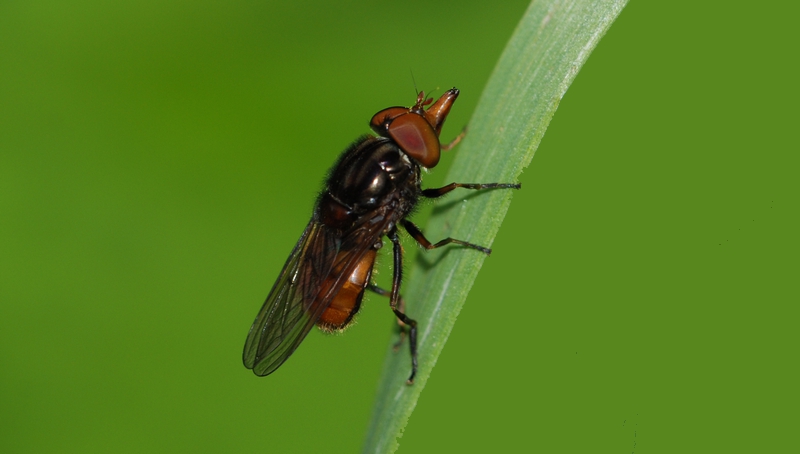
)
(549, 46)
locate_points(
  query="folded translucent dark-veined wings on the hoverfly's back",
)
(315, 271)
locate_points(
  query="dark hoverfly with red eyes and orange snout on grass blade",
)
(369, 192)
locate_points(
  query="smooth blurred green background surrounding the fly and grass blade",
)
(158, 161)
